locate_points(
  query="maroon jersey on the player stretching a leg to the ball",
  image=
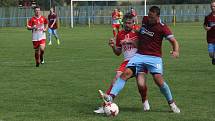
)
(151, 37)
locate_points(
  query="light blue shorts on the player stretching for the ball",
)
(153, 64)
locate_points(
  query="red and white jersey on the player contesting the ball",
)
(127, 42)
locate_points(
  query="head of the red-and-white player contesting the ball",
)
(128, 21)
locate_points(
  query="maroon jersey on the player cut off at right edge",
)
(210, 22)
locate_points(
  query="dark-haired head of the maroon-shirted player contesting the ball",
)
(154, 14)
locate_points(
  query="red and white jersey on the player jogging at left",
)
(38, 22)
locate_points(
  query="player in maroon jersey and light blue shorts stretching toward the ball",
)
(148, 56)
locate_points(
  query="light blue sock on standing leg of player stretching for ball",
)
(166, 92)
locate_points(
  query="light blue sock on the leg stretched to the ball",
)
(117, 86)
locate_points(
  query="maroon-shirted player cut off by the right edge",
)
(209, 26)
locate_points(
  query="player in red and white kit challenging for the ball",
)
(126, 45)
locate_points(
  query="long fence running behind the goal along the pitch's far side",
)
(14, 16)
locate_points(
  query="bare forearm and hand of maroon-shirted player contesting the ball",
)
(175, 47)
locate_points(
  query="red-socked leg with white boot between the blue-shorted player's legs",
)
(141, 83)
